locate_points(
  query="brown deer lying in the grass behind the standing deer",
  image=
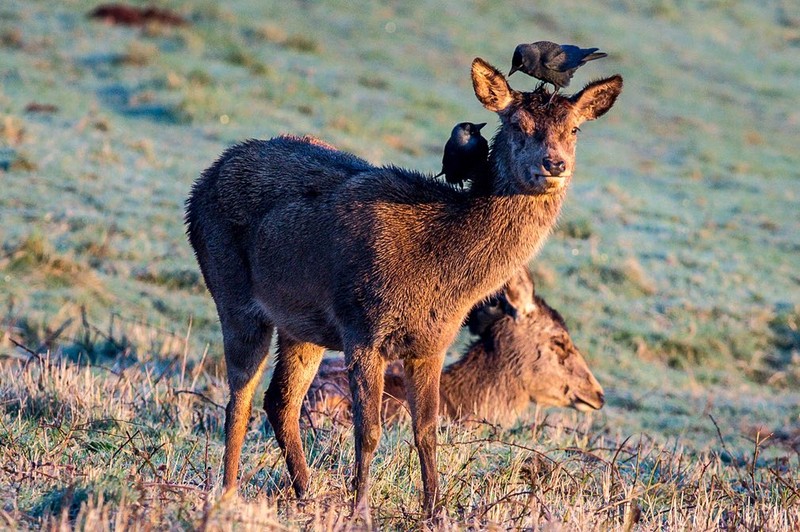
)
(525, 354)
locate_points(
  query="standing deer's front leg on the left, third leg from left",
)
(366, 385)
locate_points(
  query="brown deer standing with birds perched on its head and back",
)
(379, 262)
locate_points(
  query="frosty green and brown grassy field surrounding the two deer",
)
(676, 263)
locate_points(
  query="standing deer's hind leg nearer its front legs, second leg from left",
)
(296, 367)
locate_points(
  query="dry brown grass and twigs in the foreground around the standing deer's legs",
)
(134, 445)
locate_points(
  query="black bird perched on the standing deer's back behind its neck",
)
(465, 154)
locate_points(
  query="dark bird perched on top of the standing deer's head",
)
(550, 62)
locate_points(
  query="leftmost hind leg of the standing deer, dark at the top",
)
(246, 348)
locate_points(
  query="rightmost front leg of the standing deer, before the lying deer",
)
(422, 389)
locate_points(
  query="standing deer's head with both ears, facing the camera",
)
(533, 151)
